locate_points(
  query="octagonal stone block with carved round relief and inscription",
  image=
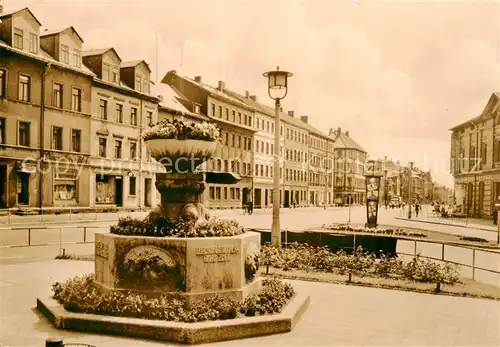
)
(195, 267)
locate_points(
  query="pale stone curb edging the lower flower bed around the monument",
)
(188, 333)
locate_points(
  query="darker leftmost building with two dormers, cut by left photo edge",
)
(44, 116)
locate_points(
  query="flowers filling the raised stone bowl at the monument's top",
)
(181, 130)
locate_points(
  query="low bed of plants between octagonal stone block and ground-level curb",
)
(81, 294)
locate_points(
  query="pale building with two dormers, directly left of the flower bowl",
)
(122, 174)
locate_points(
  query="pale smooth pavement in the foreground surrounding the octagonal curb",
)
(337, 316)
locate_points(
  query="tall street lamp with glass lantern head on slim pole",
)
(277, 90)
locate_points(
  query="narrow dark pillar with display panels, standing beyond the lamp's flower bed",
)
(372, 180)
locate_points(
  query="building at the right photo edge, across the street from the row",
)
(475, 159)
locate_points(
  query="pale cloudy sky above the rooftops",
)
(396, 74)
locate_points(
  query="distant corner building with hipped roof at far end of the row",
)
(350, 159)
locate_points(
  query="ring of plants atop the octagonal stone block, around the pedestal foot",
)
(160, 226)
